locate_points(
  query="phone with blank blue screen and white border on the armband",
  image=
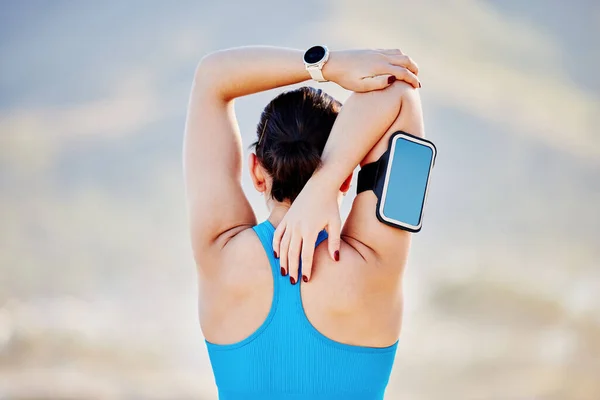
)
(405, 187)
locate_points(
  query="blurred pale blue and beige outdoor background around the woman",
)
(97, 283)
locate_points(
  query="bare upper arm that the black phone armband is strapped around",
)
(362, 229)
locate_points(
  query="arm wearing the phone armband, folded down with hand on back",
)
(359, 135)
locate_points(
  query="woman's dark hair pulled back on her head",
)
(292, 133)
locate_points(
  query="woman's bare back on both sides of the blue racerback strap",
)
(348, 301)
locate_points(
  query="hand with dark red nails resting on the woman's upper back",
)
(315, 208)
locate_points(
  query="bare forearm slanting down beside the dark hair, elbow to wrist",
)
(362, 122)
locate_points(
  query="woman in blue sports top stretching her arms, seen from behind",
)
(275, 330)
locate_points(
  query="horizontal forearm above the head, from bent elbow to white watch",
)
(242, 71)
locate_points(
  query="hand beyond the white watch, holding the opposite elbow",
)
(367, 70)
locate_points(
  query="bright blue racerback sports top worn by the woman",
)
(286, 358)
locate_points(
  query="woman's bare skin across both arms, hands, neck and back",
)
(356, 300)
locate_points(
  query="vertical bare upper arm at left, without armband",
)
(217, 205)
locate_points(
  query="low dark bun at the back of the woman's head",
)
(294, 162)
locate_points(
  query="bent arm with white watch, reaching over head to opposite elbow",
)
(218, 208)
